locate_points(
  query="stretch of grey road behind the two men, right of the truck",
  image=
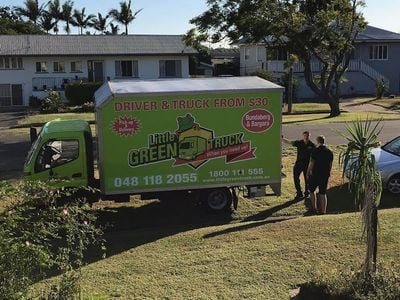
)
(390, 130)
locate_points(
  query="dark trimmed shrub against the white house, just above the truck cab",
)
(79, 93)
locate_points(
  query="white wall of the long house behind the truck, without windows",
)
(148, 67)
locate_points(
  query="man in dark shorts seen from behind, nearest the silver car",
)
(319, 170)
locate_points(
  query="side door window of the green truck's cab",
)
(55, 153)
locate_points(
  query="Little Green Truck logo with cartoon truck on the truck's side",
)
(192, 145)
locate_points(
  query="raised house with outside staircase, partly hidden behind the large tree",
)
(375, 57)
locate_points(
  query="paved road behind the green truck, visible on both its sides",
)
(14, 147)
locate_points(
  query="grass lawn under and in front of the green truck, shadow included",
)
(175, 250)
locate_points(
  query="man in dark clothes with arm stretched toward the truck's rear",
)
(304, 149)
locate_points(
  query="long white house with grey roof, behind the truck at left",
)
(30, 65)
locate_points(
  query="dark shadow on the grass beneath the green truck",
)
(128, 227)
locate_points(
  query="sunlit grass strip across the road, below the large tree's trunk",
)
(344, 117)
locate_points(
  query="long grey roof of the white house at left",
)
(49, 45)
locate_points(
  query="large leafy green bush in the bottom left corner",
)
(39, 237)
